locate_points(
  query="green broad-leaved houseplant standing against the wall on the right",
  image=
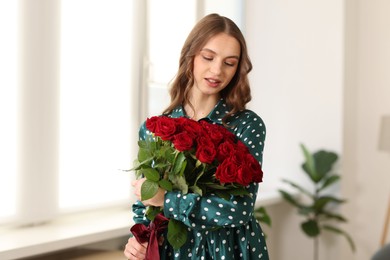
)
(320, 212)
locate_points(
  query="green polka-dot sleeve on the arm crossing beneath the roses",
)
(211, 211)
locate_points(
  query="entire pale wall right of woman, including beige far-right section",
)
(321, 77)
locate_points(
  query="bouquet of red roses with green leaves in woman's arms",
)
(191, 156)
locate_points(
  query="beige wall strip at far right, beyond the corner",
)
(367, 96)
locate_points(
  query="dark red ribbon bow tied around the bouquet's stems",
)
(150, 234)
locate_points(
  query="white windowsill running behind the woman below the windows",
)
(81, 229)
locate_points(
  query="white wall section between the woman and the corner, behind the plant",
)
(297, 81)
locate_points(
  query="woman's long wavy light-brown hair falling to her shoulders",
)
(237, 93)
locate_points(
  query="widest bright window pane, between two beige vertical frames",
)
(95, 98)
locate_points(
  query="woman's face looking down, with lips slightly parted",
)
(216, 64)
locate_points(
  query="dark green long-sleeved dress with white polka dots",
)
(217, 228)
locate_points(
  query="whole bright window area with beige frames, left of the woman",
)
(72, 96)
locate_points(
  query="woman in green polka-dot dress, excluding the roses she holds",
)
(211, 85)
